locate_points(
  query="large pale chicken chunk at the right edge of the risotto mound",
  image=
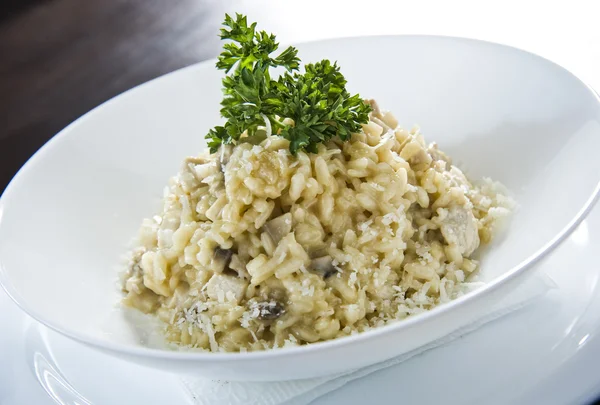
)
(459, 227)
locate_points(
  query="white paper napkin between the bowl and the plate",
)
(204, 391)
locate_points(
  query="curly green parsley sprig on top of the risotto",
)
(317, 100)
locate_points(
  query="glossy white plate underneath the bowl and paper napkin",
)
(545, 354)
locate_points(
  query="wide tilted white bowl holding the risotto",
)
(70, 213)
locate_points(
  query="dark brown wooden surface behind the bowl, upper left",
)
(61, 58)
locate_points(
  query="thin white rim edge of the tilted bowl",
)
(199, 356)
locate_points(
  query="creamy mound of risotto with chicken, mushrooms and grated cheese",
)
(258, 248)
